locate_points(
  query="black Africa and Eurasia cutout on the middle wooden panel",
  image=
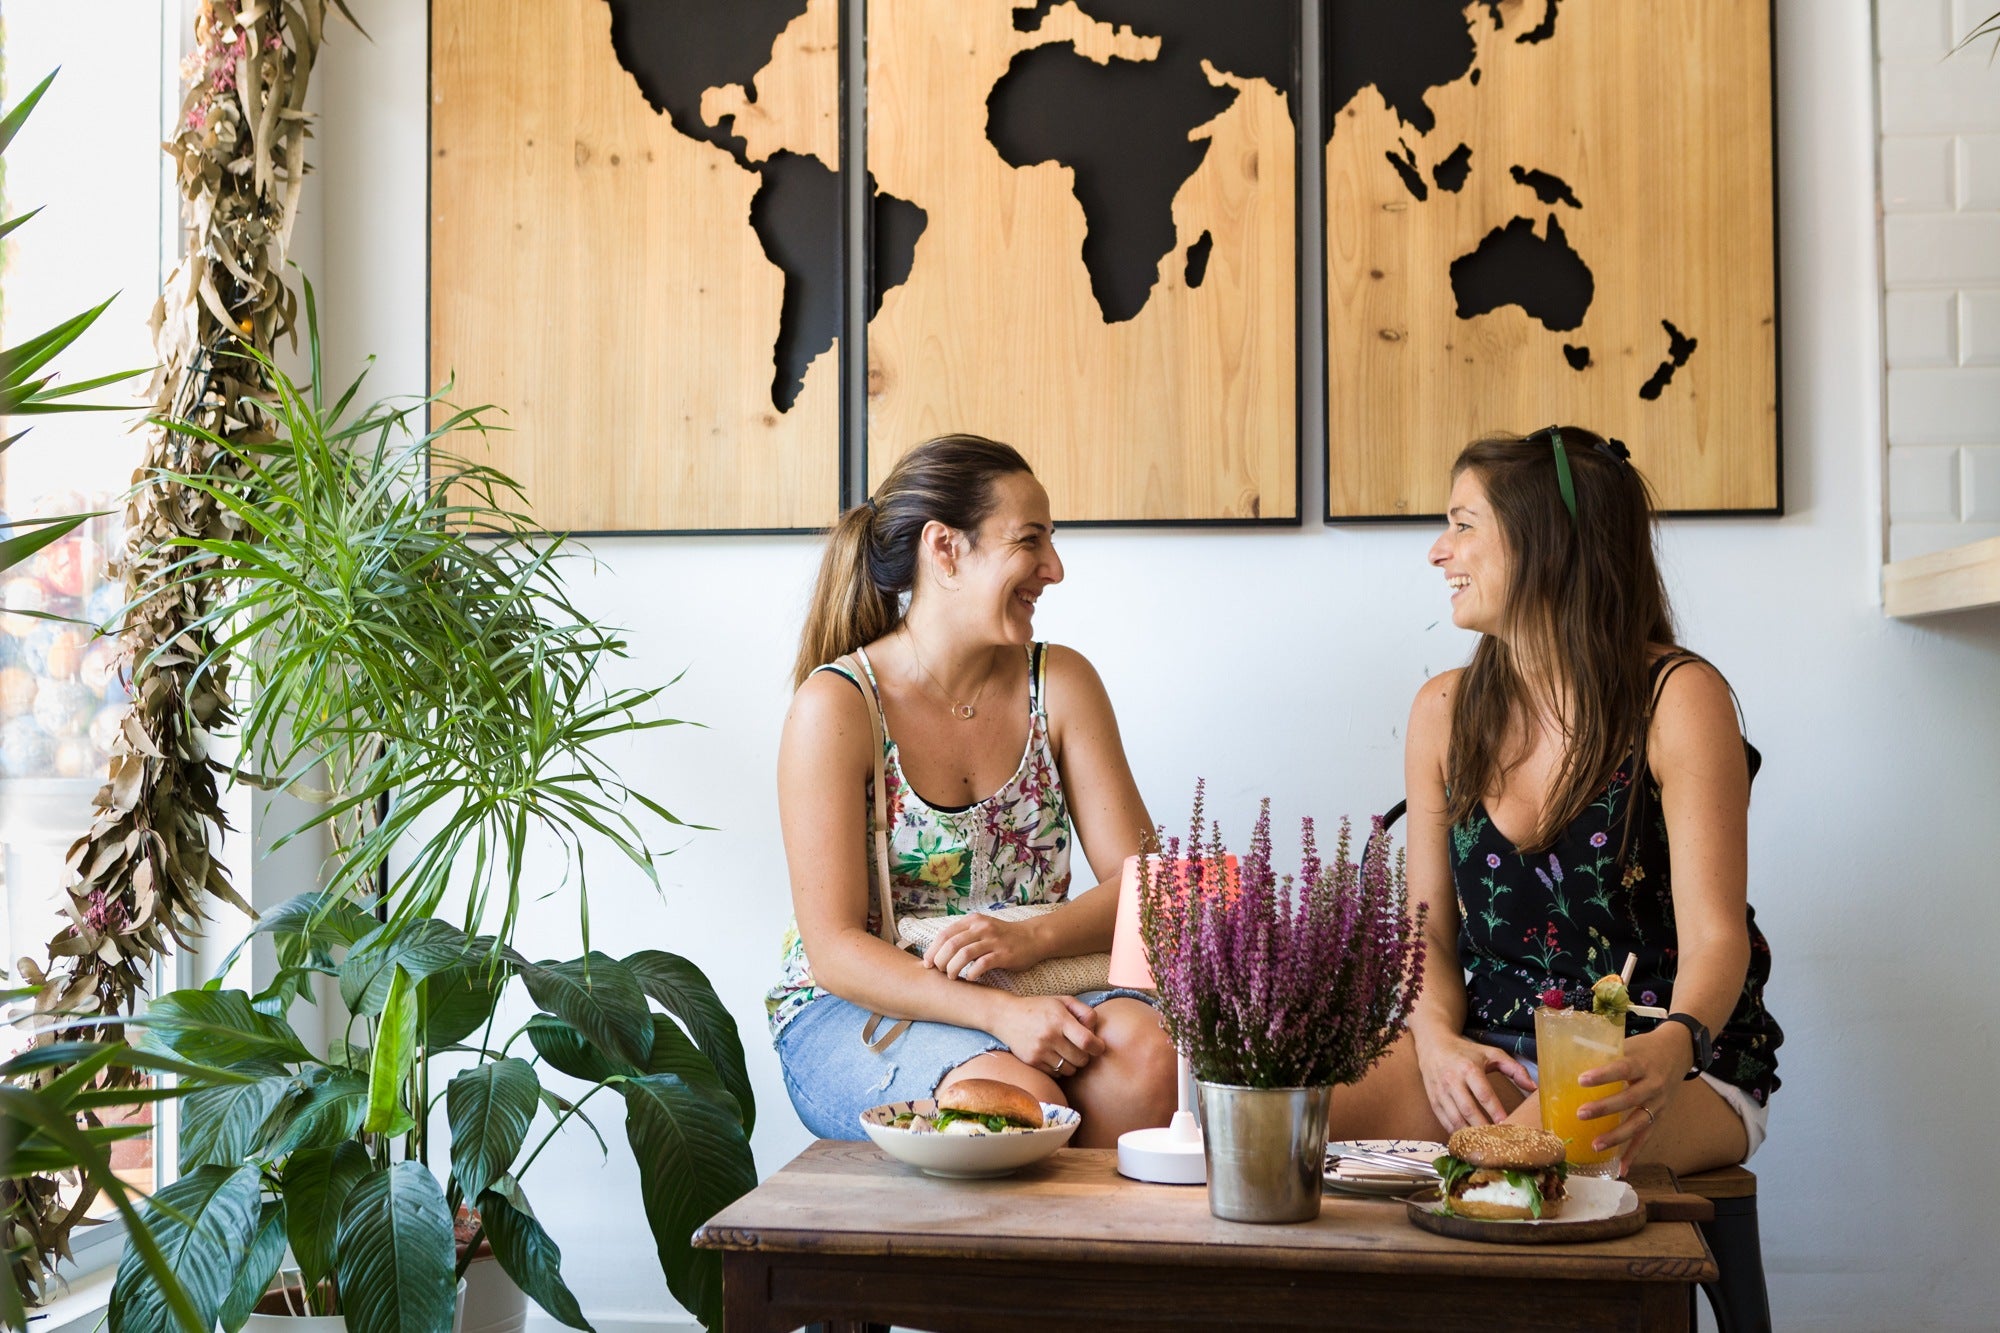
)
(1123, 127)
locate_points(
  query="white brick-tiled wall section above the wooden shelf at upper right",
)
(1941, 269)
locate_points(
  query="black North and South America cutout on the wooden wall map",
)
(677, 51)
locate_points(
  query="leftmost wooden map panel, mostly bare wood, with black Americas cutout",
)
(597, 273)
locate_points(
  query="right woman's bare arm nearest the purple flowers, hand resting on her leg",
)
(1455, 1070)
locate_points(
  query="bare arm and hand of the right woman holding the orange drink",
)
(1697, 756)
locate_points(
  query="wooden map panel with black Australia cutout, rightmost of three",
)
(1551, 211)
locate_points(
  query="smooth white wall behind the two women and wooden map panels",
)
(1283, 663)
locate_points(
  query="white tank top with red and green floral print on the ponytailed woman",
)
(1009, 850)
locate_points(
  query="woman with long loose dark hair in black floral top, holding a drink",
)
(1579, 794)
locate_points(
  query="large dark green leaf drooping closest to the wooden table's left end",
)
(693, 1162)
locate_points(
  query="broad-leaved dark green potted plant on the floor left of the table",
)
(301, 1152)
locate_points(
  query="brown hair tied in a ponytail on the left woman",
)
(871, 553)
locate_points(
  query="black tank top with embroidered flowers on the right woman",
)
(1567, 916)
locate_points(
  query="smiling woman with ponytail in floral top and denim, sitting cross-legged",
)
(993, 746)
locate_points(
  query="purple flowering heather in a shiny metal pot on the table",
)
(1277, 992)
